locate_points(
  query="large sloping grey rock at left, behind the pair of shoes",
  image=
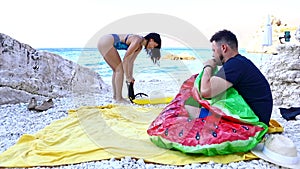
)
(26, 72)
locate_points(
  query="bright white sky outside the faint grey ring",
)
(71, 23)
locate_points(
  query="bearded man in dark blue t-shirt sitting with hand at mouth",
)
(238, 72)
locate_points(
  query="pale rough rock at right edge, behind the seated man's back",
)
(283, 74)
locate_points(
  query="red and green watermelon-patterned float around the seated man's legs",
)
(222, 125)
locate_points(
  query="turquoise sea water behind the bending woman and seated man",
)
(144, 69)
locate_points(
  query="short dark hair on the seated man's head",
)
(225, 36)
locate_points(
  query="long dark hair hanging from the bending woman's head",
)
(155, 52)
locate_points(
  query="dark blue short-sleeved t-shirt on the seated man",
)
(251, 85)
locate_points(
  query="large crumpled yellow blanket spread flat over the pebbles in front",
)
(97, 133)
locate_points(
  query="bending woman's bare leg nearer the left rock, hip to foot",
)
(113, 59)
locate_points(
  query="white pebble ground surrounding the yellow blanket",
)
(16, 120)
